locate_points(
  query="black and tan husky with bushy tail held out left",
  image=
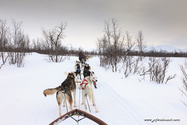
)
(64, 91)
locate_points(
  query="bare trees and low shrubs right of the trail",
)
(118, 52)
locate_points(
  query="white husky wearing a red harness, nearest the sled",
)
(87, 89)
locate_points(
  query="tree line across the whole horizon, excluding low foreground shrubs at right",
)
(113, 46)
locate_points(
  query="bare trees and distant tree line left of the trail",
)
(15, 43)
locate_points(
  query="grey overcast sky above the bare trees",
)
(163, 22)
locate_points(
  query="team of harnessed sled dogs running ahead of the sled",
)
(68, 87)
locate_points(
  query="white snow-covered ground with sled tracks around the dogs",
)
(120, 101)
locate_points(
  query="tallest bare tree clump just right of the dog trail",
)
(111, 44)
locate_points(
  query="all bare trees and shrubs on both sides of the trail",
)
(116, 50)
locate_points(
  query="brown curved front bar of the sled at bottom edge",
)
(77, 112)
